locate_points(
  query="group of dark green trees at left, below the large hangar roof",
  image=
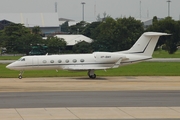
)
(17, 38)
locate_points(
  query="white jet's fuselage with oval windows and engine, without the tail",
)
(97, 60)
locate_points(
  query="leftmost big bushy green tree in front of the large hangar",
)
(18, 38)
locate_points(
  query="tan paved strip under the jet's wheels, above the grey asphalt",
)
(127, 83)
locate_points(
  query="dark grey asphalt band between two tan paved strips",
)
(90, 99)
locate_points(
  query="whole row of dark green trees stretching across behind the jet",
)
(108, 35)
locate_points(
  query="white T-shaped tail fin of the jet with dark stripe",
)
(145, 45)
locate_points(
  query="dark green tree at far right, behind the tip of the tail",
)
(167, 25)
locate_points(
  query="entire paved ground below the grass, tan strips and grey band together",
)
(130, 97)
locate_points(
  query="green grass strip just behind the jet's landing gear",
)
(140, 69)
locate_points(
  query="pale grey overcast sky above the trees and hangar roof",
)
(72, 9)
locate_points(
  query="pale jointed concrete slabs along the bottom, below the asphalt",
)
(108, 113)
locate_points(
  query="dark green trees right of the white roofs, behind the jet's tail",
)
(121, 33)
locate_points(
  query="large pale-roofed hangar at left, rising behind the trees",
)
(48, 22)
